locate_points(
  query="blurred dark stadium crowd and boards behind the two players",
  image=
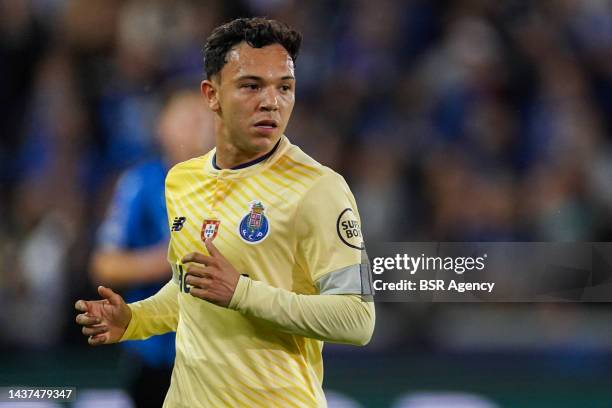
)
(463, 120)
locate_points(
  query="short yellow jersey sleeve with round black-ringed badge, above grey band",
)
(328, 228)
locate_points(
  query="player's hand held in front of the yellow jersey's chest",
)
(211, 278)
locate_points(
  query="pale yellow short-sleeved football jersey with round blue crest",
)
(287, 221)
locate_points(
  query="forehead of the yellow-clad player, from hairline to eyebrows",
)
(270, 61)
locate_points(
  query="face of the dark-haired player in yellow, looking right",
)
(255, 94)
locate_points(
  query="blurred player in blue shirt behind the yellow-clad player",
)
(132, 247)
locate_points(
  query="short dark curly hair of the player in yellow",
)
(257, 32)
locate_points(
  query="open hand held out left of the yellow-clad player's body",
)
(104, 321)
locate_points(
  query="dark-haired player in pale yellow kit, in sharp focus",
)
(268, 258)
